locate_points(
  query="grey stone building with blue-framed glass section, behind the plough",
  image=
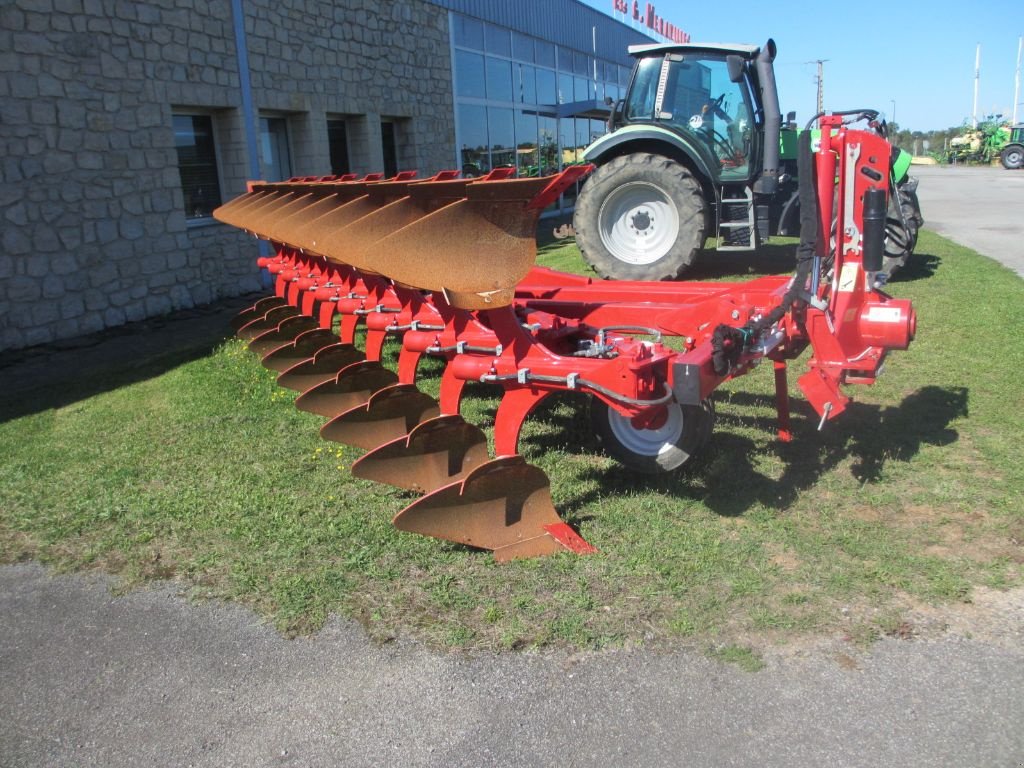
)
(125, 122)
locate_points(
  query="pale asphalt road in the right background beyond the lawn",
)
(980, 208)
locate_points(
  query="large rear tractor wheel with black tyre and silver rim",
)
(642, 217)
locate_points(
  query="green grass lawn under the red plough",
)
(205, 474)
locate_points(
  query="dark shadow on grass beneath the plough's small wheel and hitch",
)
(728, 481)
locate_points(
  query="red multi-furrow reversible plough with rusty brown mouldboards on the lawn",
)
(447, 266)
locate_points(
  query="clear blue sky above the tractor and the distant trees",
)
(919, 55)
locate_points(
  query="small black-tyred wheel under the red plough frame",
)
(685, 435)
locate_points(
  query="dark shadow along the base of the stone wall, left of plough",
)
(55, 376)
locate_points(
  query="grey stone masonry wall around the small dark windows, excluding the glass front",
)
(94, 229)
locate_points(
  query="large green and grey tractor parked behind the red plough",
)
(698, 149)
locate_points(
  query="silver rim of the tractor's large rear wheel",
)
(638, 223)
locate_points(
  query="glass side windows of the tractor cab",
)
(699, 100)
